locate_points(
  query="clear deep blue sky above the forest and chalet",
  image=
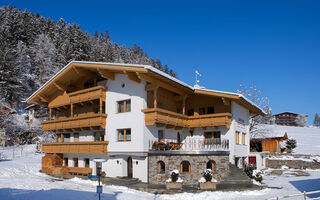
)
(274, 45)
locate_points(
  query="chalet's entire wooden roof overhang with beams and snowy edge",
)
(78, 70)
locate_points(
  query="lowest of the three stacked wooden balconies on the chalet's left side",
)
(76, 147)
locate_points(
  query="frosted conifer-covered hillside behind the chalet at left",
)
(33, 48)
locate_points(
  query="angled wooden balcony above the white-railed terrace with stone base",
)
(160, 117)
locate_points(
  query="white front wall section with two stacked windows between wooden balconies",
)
(134, 119)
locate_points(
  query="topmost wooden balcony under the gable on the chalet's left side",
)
(90, 94)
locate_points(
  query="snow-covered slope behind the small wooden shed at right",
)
(308, 139)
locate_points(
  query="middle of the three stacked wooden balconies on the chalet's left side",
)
(87, 120)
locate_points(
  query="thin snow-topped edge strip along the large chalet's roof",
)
(153, 69)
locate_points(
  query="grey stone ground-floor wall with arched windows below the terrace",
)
(198, 164)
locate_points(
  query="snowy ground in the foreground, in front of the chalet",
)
(20, 179)
